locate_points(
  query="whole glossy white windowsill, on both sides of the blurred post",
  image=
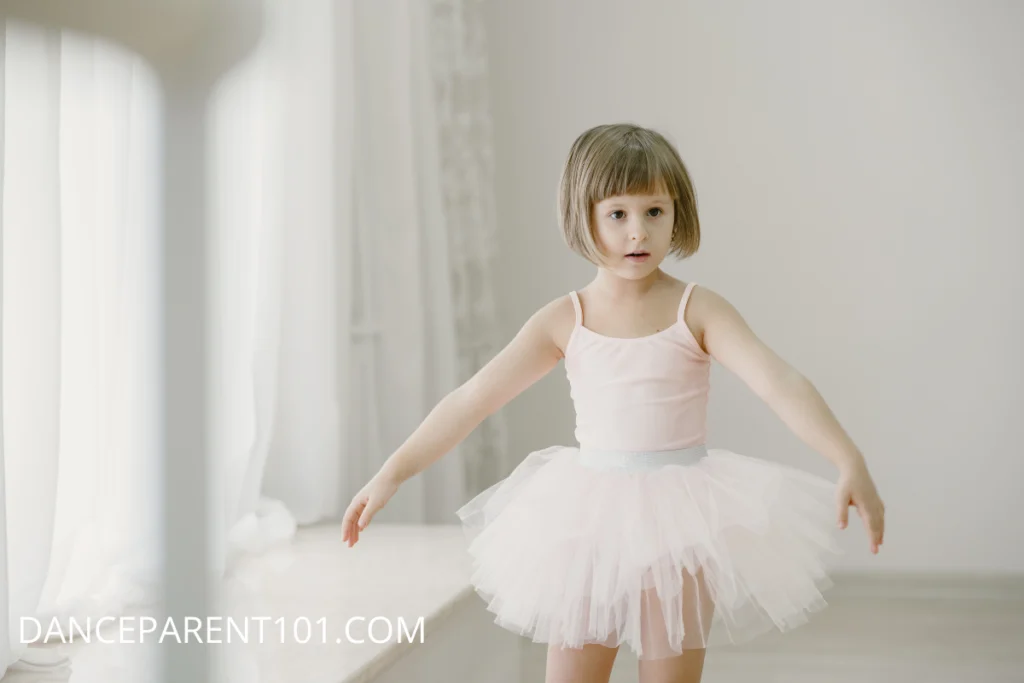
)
(399, 573)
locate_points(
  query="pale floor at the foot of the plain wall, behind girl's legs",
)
(861, 639)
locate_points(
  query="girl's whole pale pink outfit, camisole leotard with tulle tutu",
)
(643, 536)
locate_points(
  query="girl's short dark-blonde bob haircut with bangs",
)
(624, 159)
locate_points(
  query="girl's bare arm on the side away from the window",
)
(731, 341)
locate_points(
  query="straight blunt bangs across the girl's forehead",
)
(634, 169)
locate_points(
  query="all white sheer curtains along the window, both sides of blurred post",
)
(353, 215)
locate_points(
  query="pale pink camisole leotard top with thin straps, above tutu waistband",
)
(642, 394)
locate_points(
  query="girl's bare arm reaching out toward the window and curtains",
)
(531, 356)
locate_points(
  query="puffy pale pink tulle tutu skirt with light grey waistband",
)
(664, 551)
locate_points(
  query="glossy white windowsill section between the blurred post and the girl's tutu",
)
(398, 573)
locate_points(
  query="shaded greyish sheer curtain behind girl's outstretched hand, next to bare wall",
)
(422, 234)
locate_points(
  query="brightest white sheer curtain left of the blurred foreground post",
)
(77, 344)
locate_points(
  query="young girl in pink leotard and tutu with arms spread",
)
(641, 535)
